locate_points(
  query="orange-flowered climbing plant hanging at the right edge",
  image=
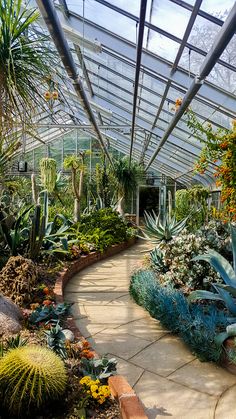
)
(219, 147)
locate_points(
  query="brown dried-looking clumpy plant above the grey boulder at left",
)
(18, 278)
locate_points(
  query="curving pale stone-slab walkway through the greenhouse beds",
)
(169, 380)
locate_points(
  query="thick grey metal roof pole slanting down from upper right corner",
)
(223, 38)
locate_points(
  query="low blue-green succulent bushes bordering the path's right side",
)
(196, 324)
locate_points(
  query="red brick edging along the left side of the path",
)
(129, 403)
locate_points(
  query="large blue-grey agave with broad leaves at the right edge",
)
(224, 292)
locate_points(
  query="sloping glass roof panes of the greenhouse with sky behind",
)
(105, 33)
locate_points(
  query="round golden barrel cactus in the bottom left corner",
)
(30, 376)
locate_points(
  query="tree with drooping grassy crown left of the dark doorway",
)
(128, 178)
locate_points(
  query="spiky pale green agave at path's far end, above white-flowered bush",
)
(156, 231)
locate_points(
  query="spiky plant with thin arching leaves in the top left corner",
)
(25, 62)
